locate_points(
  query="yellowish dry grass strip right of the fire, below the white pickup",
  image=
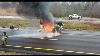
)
(82, 26)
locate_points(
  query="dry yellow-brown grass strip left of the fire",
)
(18, 23)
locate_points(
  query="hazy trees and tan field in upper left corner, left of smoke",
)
(8, 8)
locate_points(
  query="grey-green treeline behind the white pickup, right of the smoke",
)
(86, 9)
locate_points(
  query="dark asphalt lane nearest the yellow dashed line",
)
(66, 44)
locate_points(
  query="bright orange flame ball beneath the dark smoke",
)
(47, 26)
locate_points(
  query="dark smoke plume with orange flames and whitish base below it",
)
(41, 10)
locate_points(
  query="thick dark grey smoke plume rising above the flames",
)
(35, 9)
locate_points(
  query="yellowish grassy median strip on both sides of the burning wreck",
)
(67, 25)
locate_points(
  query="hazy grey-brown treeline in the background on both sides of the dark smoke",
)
(58, 9)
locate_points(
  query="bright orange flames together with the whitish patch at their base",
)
(47, 29)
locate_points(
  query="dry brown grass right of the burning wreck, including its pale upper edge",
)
(82, 25)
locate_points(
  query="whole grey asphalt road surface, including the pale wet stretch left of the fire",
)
(77, 41)
